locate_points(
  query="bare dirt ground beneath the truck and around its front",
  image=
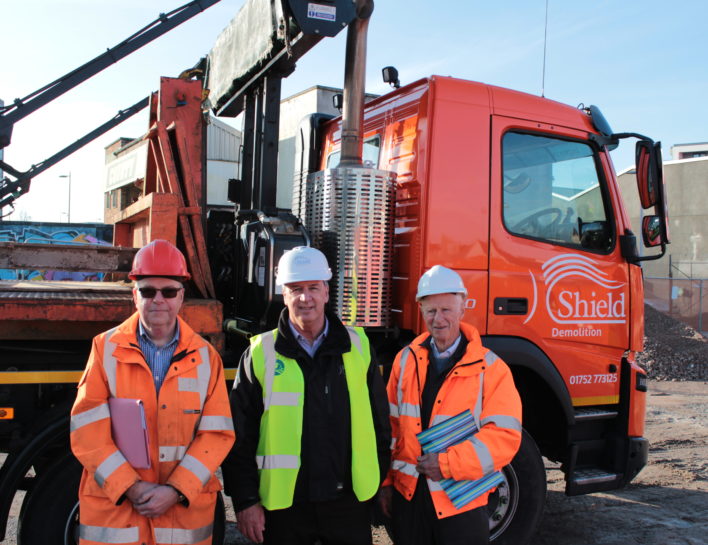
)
(667, 503)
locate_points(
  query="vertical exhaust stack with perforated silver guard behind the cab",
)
(349, 210)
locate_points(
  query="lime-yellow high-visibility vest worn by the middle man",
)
(279, 444)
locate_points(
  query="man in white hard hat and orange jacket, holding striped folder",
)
(440, 375)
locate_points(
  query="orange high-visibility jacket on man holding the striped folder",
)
(480, 382)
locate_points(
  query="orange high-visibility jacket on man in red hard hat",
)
(190, 433)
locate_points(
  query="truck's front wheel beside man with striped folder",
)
(516, 507)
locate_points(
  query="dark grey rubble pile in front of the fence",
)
(672, 350)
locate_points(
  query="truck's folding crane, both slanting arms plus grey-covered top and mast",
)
(243, 72)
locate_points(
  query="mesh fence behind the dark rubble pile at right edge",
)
(680, 298)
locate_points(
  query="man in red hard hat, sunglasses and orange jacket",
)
(155, 357)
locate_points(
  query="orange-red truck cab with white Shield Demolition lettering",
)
(518, 194)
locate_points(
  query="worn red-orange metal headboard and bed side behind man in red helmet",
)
(170, 208)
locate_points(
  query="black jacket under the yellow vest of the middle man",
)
(325, 471)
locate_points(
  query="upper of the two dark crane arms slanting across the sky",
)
(22, 107)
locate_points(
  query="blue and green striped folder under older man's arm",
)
(451, 432)
